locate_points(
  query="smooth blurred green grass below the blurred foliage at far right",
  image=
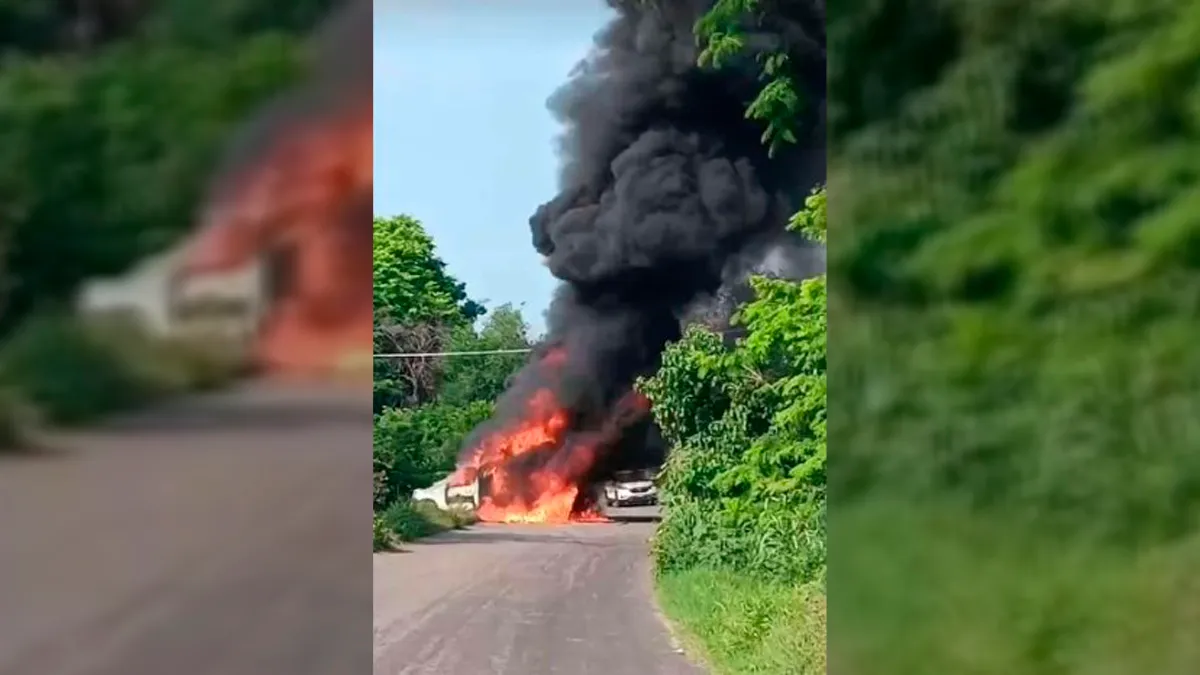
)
(926, 590)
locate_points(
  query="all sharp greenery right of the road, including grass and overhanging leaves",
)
(741, 553)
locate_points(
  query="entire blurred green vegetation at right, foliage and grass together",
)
(1015, 279)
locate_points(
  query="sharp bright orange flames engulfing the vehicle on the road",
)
(535, 469)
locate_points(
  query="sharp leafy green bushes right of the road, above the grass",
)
(745, 485)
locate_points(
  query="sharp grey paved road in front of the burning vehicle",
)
(523, 601)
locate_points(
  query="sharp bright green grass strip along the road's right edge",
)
(743, 626)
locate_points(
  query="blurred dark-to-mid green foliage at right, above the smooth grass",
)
(1027, 200)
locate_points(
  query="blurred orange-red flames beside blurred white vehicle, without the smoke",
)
(304, 194)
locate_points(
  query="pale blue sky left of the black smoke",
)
(463, 138)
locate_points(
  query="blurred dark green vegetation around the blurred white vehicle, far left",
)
(112, 120)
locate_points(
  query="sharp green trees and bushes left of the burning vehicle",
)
(425, 407)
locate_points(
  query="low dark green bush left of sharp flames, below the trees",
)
(416, 447)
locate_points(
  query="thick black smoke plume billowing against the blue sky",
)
(668, 196)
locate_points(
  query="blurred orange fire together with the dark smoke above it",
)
(296, 190)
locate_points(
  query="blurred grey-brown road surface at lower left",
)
(227, 535)
